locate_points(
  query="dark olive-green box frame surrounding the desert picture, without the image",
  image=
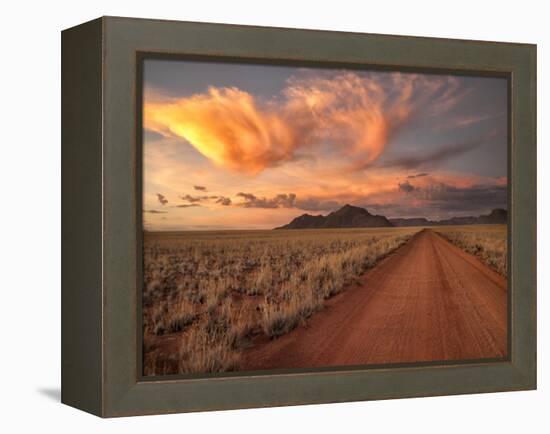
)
(101, 216)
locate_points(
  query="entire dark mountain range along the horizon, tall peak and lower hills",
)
(350, 216)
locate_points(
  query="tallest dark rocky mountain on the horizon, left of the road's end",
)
(346, 217)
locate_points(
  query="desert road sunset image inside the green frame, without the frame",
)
(303, 217)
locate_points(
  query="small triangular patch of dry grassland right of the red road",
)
(487, 242)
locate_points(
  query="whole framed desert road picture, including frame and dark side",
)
(259, 216)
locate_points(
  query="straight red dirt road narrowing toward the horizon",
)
(429, 301)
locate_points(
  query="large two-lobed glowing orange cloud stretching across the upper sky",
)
(355, 116)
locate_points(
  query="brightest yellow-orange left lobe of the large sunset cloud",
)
(227, 127)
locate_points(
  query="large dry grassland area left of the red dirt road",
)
(207, 295)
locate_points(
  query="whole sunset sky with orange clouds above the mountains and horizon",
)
(246, 146)
